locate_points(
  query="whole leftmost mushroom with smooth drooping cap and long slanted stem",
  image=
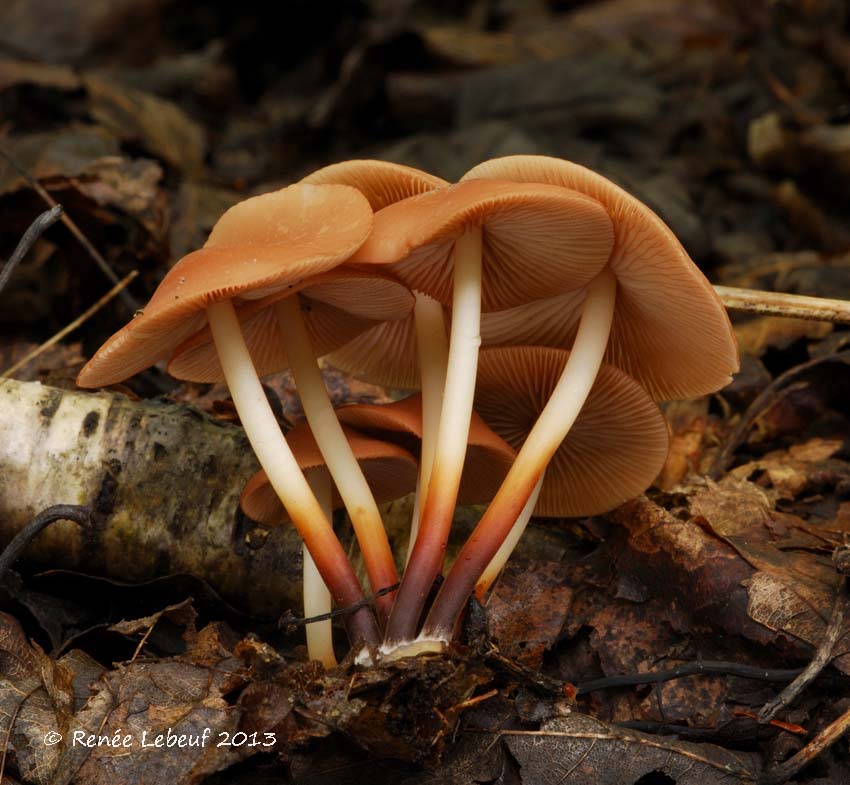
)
(259, 247)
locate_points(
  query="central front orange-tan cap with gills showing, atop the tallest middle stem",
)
(536, 240)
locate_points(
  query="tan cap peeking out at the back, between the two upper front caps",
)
(381, 182)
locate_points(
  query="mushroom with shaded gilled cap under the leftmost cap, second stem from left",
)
(290, 329)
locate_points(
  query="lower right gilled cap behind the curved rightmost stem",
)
(615, 448)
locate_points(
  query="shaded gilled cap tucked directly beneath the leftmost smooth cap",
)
(337, 306)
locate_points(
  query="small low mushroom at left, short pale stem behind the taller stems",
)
(390, 472)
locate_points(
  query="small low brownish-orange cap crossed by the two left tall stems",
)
(389, 470)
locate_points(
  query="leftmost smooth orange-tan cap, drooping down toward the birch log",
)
(258, 247)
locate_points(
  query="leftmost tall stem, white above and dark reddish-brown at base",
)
(284, 474)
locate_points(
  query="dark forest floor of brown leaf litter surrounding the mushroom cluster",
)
(145, 119)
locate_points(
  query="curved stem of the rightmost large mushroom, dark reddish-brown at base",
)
(549, 431)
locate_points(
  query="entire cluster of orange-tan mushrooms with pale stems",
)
(536, 312)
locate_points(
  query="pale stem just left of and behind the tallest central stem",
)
(433, 350)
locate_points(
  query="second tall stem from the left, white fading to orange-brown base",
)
(339, 458)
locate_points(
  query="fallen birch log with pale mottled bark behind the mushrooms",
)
(163, 481)
